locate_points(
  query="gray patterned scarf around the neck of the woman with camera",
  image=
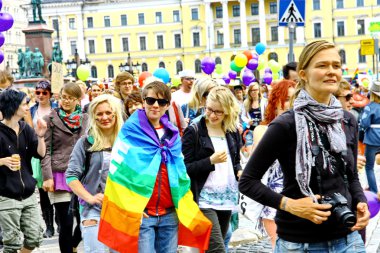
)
(307, 109)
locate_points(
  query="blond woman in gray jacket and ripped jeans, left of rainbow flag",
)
(89, 165)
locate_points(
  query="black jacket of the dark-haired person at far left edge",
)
(18, 184)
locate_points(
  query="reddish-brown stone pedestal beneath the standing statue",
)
(38, 35)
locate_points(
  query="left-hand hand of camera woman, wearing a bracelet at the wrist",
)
(307, 209)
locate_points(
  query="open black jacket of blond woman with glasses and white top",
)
(197, 149)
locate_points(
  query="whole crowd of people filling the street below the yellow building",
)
(146, 169)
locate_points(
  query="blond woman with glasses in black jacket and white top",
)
(211, 148)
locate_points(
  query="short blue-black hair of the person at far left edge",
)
(10, 101)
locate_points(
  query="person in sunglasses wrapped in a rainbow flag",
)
(148, 205)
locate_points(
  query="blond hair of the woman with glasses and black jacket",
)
(230, 106)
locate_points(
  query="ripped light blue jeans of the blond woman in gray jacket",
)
(90, 233)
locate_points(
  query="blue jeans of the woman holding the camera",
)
(352, 243)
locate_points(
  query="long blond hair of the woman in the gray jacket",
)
(94, 130)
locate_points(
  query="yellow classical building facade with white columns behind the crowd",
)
(177, 34)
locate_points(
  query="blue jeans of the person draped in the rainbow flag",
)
(159, 234)
